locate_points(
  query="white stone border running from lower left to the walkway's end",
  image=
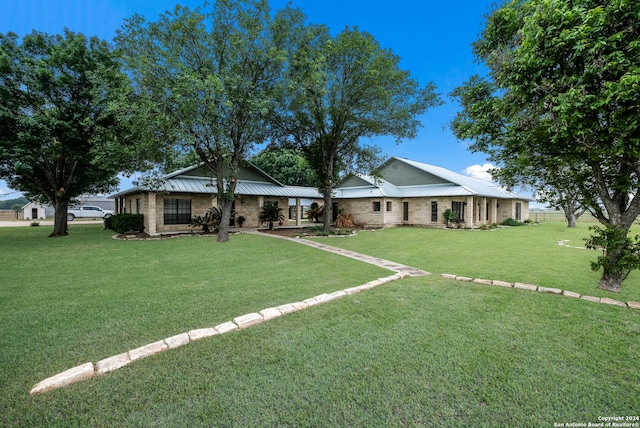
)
(109, 364)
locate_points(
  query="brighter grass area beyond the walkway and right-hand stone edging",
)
(528, 254)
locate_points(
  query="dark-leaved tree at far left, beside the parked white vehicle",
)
(58, 136)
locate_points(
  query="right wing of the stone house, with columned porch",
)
(417, 194)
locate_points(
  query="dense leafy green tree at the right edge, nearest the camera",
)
(562, 95)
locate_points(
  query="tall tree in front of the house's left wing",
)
(206, 81)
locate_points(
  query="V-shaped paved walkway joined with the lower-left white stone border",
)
(89, 370)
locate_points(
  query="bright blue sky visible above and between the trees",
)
(432, 38)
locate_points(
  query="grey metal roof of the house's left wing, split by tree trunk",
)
(252, 181)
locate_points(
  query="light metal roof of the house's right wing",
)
(403, 178)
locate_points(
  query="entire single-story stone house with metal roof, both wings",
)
(408, 194)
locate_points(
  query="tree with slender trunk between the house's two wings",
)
(345, 89)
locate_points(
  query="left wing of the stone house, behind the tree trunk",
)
(169, 206)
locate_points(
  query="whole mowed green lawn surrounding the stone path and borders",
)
(417, 352)
